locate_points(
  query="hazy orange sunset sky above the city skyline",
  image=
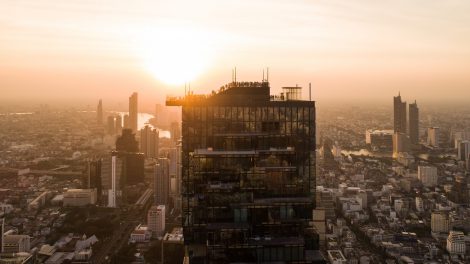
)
(79, 51)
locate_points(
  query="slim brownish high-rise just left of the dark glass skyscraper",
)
(162, 182)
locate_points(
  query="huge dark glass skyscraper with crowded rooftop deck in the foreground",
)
(248, 175)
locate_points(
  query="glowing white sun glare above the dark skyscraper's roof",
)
(174, 55)
